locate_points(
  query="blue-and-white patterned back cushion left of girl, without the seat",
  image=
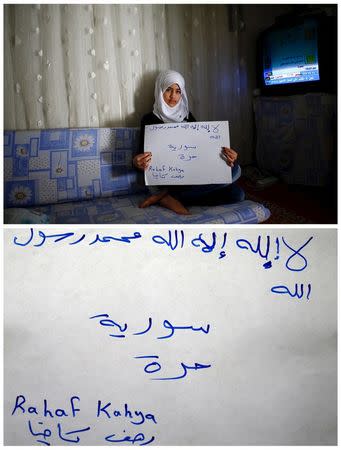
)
(54, 166)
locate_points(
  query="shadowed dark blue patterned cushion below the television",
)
(296, 138)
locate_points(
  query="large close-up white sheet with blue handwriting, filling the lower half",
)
(244, 323)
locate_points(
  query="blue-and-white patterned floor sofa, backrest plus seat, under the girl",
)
(86, 176)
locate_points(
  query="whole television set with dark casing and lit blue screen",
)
(298, 55)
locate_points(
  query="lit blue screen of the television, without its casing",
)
(290, 54)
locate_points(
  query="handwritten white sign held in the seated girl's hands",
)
(187, 153)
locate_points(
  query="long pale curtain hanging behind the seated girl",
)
(95, 65)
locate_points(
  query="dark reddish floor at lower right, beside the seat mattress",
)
(293, 204)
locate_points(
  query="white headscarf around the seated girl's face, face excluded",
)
(180, 111)
